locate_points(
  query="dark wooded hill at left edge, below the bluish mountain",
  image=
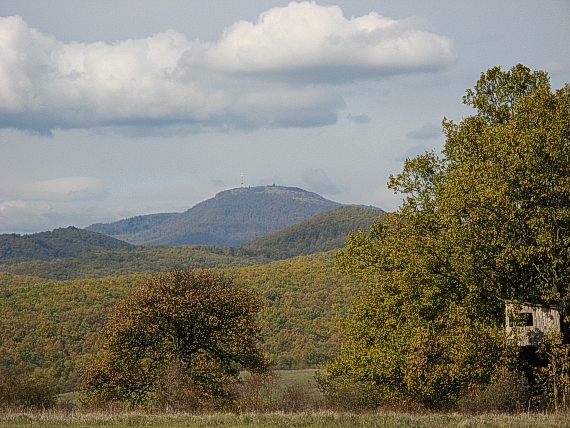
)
(57, 244)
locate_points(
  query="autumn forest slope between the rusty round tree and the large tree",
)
(303, 299)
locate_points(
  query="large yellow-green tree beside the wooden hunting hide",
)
(487, 220)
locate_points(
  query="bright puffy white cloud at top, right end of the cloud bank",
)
(305, 36)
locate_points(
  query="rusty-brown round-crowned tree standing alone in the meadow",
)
(191, 329)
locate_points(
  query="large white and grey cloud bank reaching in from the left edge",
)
(264, 74)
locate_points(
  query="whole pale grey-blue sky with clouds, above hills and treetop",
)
(111, 109)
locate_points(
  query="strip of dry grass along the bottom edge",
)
(317, 420)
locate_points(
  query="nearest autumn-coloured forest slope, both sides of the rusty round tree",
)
(303, 299)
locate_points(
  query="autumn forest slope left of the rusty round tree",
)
(50, 327)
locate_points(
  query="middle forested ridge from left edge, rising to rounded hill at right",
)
(324, 232)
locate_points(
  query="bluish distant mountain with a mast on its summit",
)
(231, 218)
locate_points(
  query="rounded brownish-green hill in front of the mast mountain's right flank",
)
(324, 232)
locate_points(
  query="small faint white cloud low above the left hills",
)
(63, 189)
